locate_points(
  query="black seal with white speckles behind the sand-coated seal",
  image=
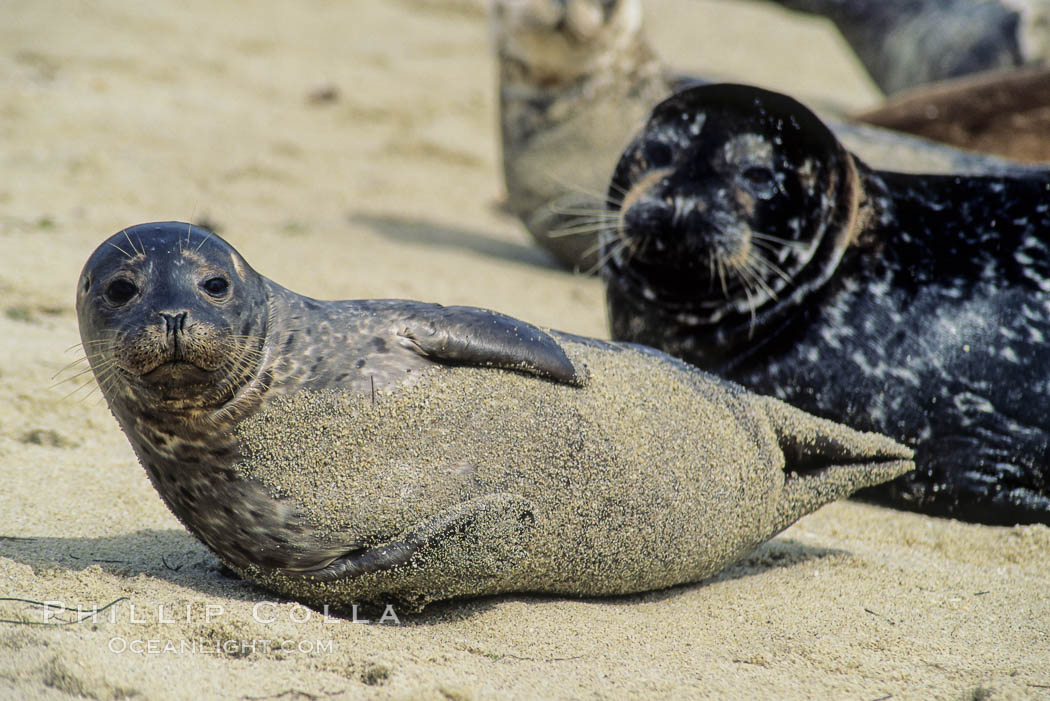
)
(750, 243)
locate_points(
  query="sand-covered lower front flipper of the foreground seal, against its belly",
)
(495, 522)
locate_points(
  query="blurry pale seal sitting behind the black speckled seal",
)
(578, 78)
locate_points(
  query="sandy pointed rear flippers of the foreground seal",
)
(826, 461)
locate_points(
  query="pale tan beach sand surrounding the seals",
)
(115, 114)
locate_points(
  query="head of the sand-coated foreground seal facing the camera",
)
(179, 316)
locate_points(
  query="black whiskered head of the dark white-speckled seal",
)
(727, 211)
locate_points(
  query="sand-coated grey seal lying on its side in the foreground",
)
(367, 450)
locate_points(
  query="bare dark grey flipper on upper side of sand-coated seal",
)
(473, 336)
